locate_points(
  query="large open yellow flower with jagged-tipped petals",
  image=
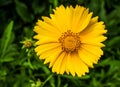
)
(70, 40)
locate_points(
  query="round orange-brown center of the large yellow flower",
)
(70, 41)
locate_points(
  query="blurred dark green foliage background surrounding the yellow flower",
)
(20, 67)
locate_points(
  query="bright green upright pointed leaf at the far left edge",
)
(5, 41)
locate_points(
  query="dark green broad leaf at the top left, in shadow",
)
(23, 11)
